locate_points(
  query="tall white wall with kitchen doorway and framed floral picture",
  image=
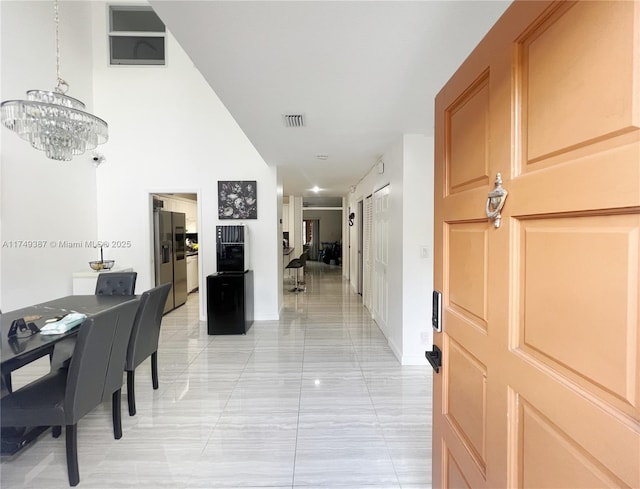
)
(169, 132)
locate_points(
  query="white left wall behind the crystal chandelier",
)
(43, 200)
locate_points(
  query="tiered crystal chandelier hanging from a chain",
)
(52, 121)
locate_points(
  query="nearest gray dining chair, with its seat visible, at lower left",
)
(64, 396)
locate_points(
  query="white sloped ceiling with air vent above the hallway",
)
(361, 72)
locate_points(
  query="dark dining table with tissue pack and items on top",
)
(28, 345)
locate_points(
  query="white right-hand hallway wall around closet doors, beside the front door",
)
(408, 168)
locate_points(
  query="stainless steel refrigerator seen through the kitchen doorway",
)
(170, 255)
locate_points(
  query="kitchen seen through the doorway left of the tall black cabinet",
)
(176, 244)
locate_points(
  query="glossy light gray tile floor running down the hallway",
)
(314, 400)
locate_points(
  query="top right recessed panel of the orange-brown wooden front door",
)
(595, 99)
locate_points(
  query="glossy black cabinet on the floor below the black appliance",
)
(229, 302)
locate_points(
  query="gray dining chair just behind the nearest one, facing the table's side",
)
(144, 338)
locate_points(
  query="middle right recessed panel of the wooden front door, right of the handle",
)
(553, 254)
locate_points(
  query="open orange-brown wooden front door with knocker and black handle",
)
(540, 384)
